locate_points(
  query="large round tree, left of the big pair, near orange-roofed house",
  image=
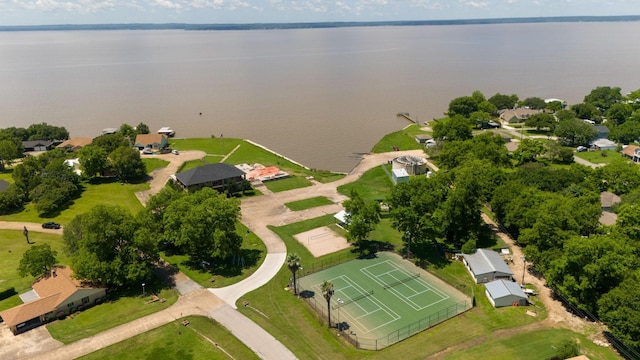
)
(109, 246)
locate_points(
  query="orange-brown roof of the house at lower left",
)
(51, 291)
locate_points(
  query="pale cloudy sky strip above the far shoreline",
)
(52, 12)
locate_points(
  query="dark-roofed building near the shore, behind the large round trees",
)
(217, 176)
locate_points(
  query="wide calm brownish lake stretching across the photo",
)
(318, 96)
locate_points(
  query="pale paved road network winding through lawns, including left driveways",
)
(219, 304)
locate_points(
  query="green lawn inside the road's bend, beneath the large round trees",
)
(253, 252)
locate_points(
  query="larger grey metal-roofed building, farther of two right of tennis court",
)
(486, 265)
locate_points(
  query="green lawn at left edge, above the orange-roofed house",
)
(12, 246)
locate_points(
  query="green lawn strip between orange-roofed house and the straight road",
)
(112, 313)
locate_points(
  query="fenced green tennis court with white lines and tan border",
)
(383, 300)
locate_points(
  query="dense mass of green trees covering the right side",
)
(551, 211)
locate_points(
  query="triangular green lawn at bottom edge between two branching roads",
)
(175, 341)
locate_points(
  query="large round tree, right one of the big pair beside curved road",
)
(203, 224)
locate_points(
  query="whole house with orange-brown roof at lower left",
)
(52, 296)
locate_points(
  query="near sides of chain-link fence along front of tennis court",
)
(320, 306)
